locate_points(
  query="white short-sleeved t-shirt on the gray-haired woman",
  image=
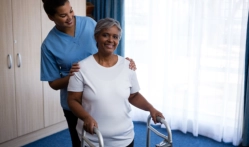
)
(105, 97)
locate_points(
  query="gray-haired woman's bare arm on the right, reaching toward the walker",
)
(139, 101)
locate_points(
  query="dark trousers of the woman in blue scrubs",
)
(72, 122)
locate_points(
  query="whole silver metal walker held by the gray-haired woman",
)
(167, 142)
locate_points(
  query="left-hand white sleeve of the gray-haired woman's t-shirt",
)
(76, 83)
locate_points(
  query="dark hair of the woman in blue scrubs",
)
(51, 5)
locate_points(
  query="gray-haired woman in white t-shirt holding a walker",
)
(101, 92)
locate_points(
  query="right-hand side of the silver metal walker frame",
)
(167, 142)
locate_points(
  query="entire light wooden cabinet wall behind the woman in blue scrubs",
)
(29, 108)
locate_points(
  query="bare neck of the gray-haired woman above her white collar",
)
(106, 61)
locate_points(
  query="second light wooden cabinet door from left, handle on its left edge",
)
(27, 38)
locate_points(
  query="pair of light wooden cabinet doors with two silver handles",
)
(21, 91)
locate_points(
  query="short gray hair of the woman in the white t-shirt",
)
(107, 23)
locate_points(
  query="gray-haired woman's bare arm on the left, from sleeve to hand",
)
(74, 102)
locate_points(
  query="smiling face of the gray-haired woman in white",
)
(108, 40)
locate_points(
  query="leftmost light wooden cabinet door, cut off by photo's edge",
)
(7, 86)
